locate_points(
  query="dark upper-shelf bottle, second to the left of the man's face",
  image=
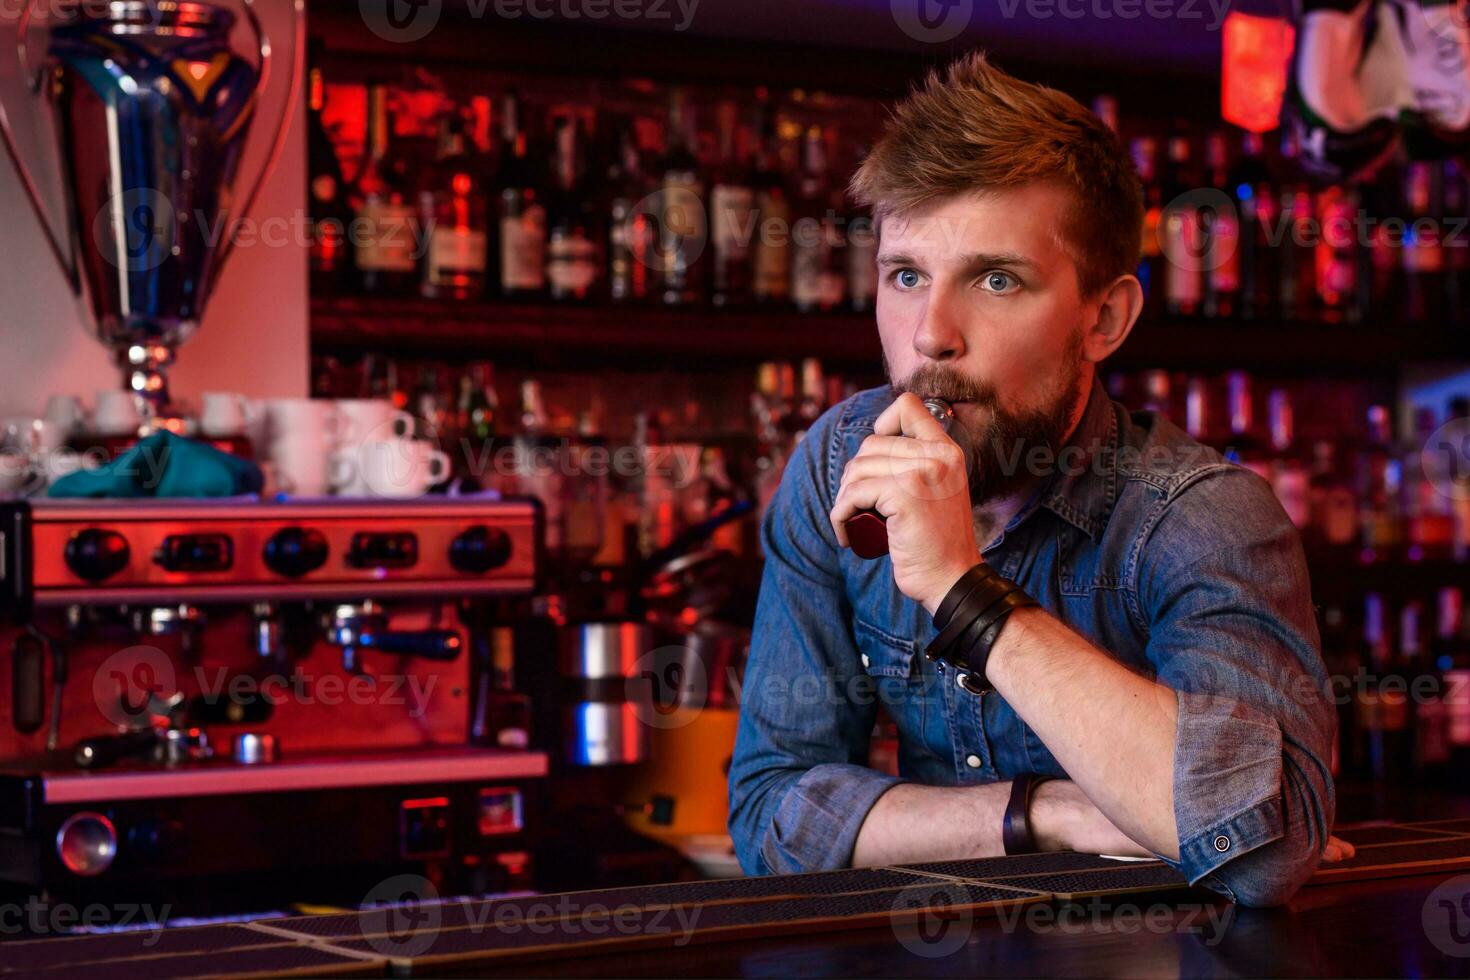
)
(818, 262)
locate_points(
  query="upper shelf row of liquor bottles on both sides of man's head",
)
(614, 217)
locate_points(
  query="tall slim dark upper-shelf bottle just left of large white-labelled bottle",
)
(683, 233)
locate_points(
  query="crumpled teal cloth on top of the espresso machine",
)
(165, 465)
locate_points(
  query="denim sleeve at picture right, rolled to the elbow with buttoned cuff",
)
(1227, 600)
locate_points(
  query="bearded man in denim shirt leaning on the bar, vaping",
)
(1171, 677)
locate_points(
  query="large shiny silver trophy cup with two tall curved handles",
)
(149, 108)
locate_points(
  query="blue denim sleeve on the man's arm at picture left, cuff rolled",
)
(800, 787)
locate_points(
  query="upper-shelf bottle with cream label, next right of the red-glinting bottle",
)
(520, 211)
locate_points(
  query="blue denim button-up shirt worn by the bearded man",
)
(1150, 546)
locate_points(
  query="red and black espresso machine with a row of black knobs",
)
(226, 706)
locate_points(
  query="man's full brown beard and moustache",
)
(1003, 442)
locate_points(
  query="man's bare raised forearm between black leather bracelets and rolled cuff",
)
(1111, 729)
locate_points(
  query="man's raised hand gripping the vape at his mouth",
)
(914, 474)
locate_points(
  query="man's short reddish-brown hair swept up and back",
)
(978, 129)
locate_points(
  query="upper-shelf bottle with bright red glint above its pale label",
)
(455, 217)
